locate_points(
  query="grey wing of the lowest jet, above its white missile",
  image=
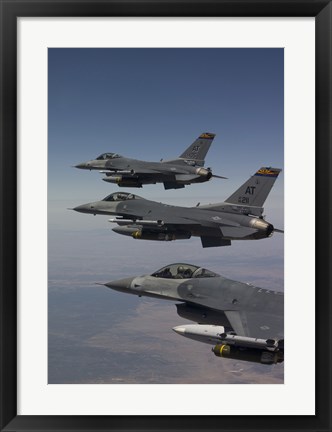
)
(256, 324)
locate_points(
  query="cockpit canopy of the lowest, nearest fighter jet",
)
(183, 271)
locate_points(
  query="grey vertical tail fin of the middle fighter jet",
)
(255, 190)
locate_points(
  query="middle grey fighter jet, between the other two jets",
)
(240, 217)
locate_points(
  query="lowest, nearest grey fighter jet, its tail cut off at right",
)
(240, 320)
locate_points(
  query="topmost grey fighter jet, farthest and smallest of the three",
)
(175, 174)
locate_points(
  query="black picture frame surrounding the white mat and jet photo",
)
(10, 11)
